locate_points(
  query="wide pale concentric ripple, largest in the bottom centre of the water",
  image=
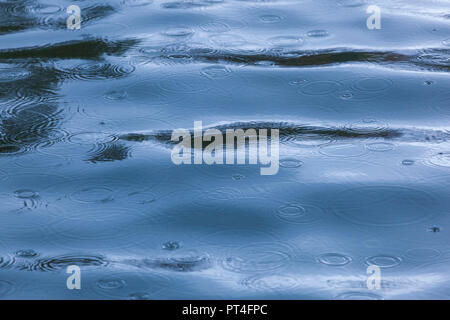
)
(258, 257)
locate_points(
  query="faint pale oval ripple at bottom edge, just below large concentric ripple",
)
(271, 282)
